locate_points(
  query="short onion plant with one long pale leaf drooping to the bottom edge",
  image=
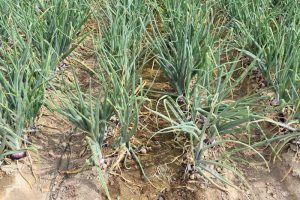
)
(88, 109)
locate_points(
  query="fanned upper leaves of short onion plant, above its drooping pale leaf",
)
(90, 111)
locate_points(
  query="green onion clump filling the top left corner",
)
(56, 25)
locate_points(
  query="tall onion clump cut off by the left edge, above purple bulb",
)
(22, 87)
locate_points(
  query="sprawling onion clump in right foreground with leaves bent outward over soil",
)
(211, 113)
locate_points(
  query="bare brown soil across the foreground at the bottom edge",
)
(62, 150)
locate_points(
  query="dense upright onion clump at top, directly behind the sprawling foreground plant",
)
(180, 38)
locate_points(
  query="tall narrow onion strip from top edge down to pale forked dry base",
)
(122, 52)
